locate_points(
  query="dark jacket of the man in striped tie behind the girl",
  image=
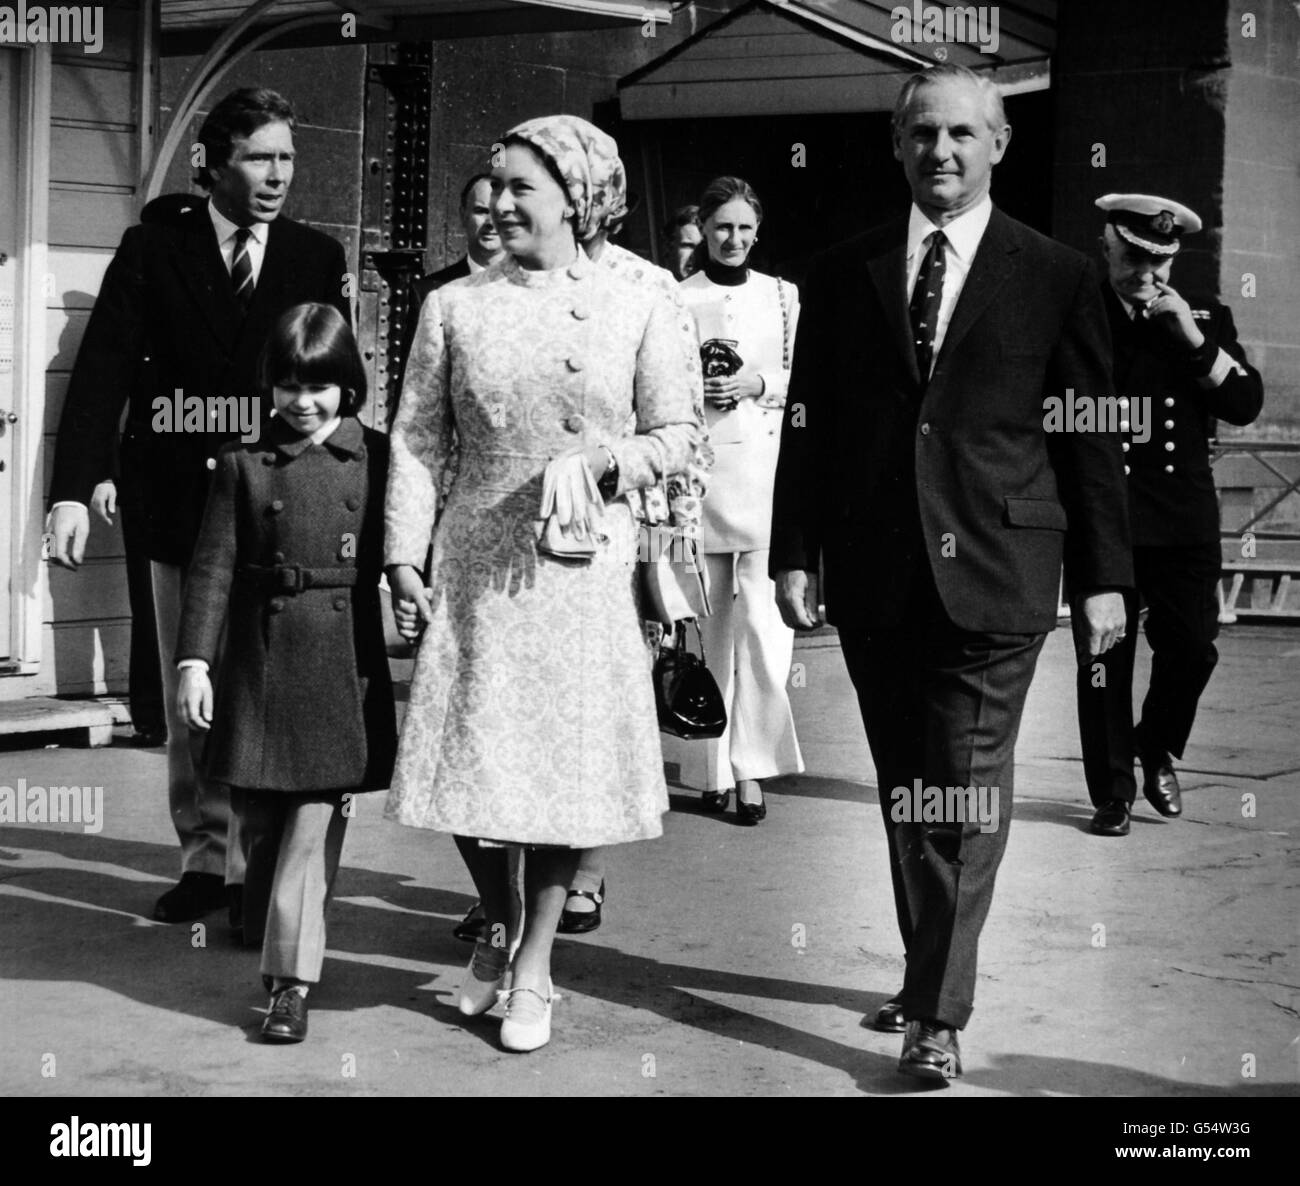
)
(167, 318)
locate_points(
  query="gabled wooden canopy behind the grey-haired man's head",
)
(820, 57)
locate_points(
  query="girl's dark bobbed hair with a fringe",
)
(313, 344)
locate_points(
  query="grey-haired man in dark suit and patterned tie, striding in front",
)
(917, 471)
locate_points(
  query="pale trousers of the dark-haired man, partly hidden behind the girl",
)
(201, 810)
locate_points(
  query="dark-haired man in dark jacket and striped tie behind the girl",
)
(181, 315)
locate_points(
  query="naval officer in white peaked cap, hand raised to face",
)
(1177, 370)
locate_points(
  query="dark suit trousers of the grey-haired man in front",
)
(942, 705)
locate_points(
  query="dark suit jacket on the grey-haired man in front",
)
(879, 473)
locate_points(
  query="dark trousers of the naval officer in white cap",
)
(1178, 586)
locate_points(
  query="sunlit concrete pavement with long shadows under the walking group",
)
(733, 960)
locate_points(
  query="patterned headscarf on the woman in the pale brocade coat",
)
(588, 161)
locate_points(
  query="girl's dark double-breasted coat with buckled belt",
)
(289, 557)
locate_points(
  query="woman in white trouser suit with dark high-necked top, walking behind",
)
(747, 330)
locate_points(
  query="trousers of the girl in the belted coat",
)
(294, 843)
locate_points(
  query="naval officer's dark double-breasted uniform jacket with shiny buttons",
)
(1171, 484)
